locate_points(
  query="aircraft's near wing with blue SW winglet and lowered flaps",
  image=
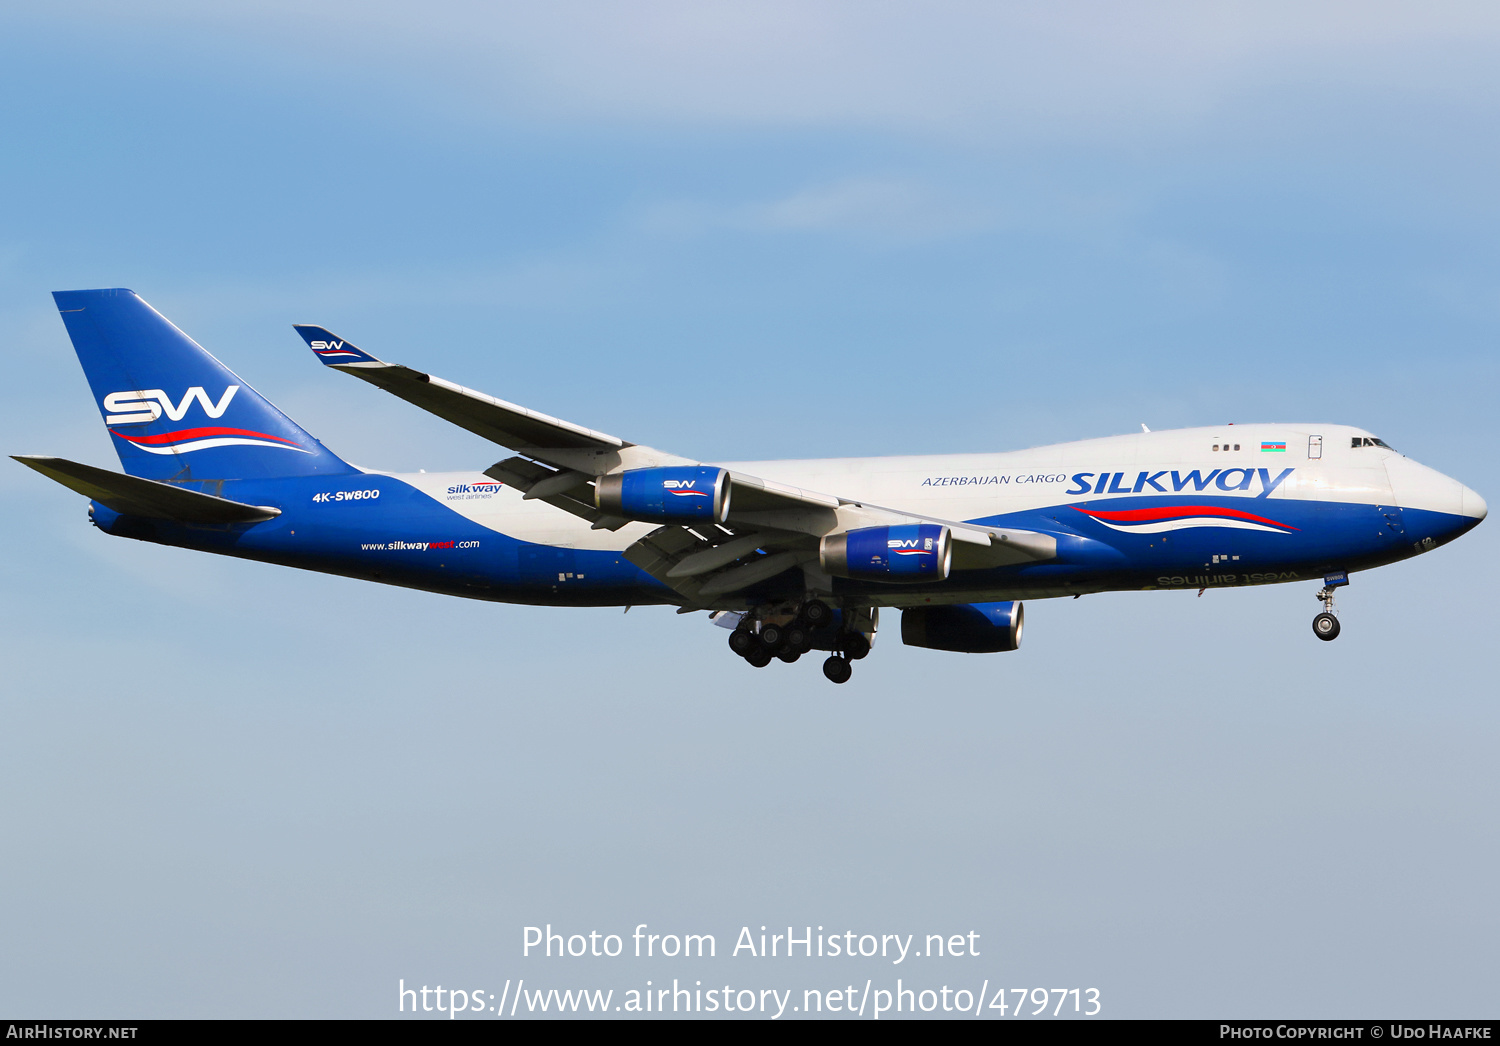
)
(770, 528)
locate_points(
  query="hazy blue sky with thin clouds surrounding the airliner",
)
(752, 232)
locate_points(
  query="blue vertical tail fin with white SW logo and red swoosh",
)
(175, 412)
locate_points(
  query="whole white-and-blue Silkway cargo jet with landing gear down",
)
(790, 556)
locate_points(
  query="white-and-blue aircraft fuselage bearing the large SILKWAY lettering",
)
(1180, 509)
